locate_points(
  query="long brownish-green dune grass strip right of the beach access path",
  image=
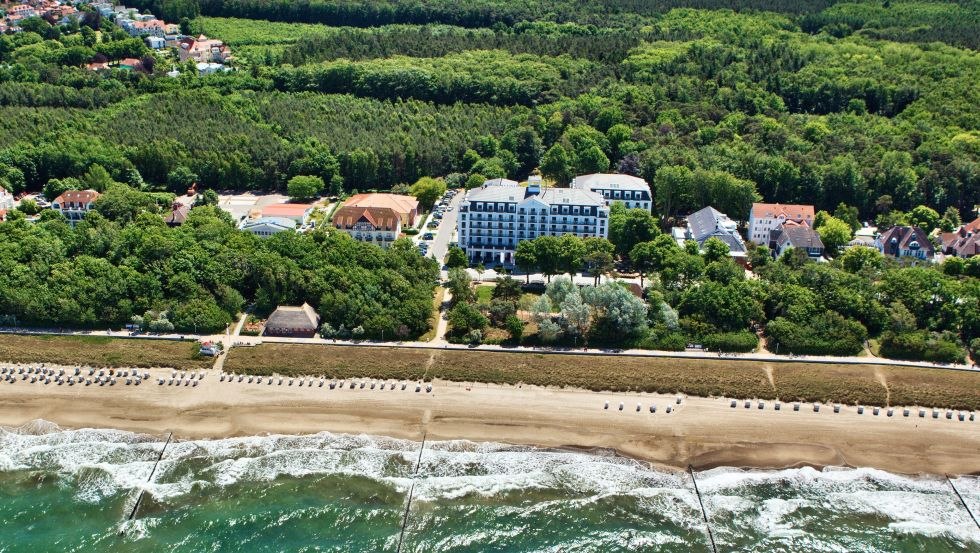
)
(829, 383)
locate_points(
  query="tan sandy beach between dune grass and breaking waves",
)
(703, 432)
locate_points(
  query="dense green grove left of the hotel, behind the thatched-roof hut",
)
(196, 278)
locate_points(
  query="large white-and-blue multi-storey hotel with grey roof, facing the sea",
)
(501, 213)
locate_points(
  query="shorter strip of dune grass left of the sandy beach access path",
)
(102, 351)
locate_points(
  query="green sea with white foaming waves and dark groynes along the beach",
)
(94, 490)
